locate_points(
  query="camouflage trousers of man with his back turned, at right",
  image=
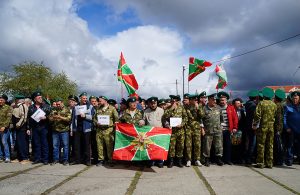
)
(264, 140)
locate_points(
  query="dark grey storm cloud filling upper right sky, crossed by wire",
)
(239, 26)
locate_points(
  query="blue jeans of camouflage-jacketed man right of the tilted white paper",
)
(60, 139)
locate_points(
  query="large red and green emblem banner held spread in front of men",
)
(134, 143)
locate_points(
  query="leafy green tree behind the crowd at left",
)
(28, 77)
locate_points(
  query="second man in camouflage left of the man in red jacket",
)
(193, 132)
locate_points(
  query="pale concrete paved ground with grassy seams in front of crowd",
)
(80, 179)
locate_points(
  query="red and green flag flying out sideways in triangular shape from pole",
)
(196, 67)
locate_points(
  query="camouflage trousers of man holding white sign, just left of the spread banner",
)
(105, 139)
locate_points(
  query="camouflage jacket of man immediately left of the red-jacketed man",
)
(211, 118)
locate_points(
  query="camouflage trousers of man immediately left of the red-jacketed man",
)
(216, 140)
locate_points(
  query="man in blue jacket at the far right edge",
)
(292, 127)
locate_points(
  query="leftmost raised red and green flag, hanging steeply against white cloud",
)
(126, 76)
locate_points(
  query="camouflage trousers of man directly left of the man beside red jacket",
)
(193, 144)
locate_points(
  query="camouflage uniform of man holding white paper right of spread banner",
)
(178, 134)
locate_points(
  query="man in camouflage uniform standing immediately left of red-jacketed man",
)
(212, 117)
